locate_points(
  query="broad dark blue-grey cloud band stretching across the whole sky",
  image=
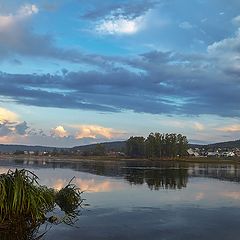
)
(154, 82)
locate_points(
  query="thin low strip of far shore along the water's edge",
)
(73, 158)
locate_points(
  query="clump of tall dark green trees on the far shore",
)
(157, 145)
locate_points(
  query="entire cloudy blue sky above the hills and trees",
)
(74, 72)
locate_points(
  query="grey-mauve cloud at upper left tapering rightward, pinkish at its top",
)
(18, 38)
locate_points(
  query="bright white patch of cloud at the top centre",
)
(119, 25)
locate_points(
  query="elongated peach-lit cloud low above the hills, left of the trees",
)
(94, 131)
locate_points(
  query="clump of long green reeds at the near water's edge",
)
(24, 204)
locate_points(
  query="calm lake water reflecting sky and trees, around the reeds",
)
(142, 200)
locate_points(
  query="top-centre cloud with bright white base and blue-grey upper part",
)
(120, 17)
